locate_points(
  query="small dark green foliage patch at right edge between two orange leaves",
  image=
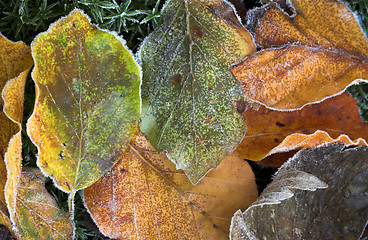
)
(360, 93)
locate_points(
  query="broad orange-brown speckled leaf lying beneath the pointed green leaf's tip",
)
(145, 197)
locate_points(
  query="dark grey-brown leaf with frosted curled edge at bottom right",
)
(339, 211)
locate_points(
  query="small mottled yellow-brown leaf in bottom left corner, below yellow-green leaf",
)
(37, 215)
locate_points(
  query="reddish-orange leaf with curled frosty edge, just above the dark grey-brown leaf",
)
(269, 130)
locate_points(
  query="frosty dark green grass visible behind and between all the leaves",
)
(132, 19)
